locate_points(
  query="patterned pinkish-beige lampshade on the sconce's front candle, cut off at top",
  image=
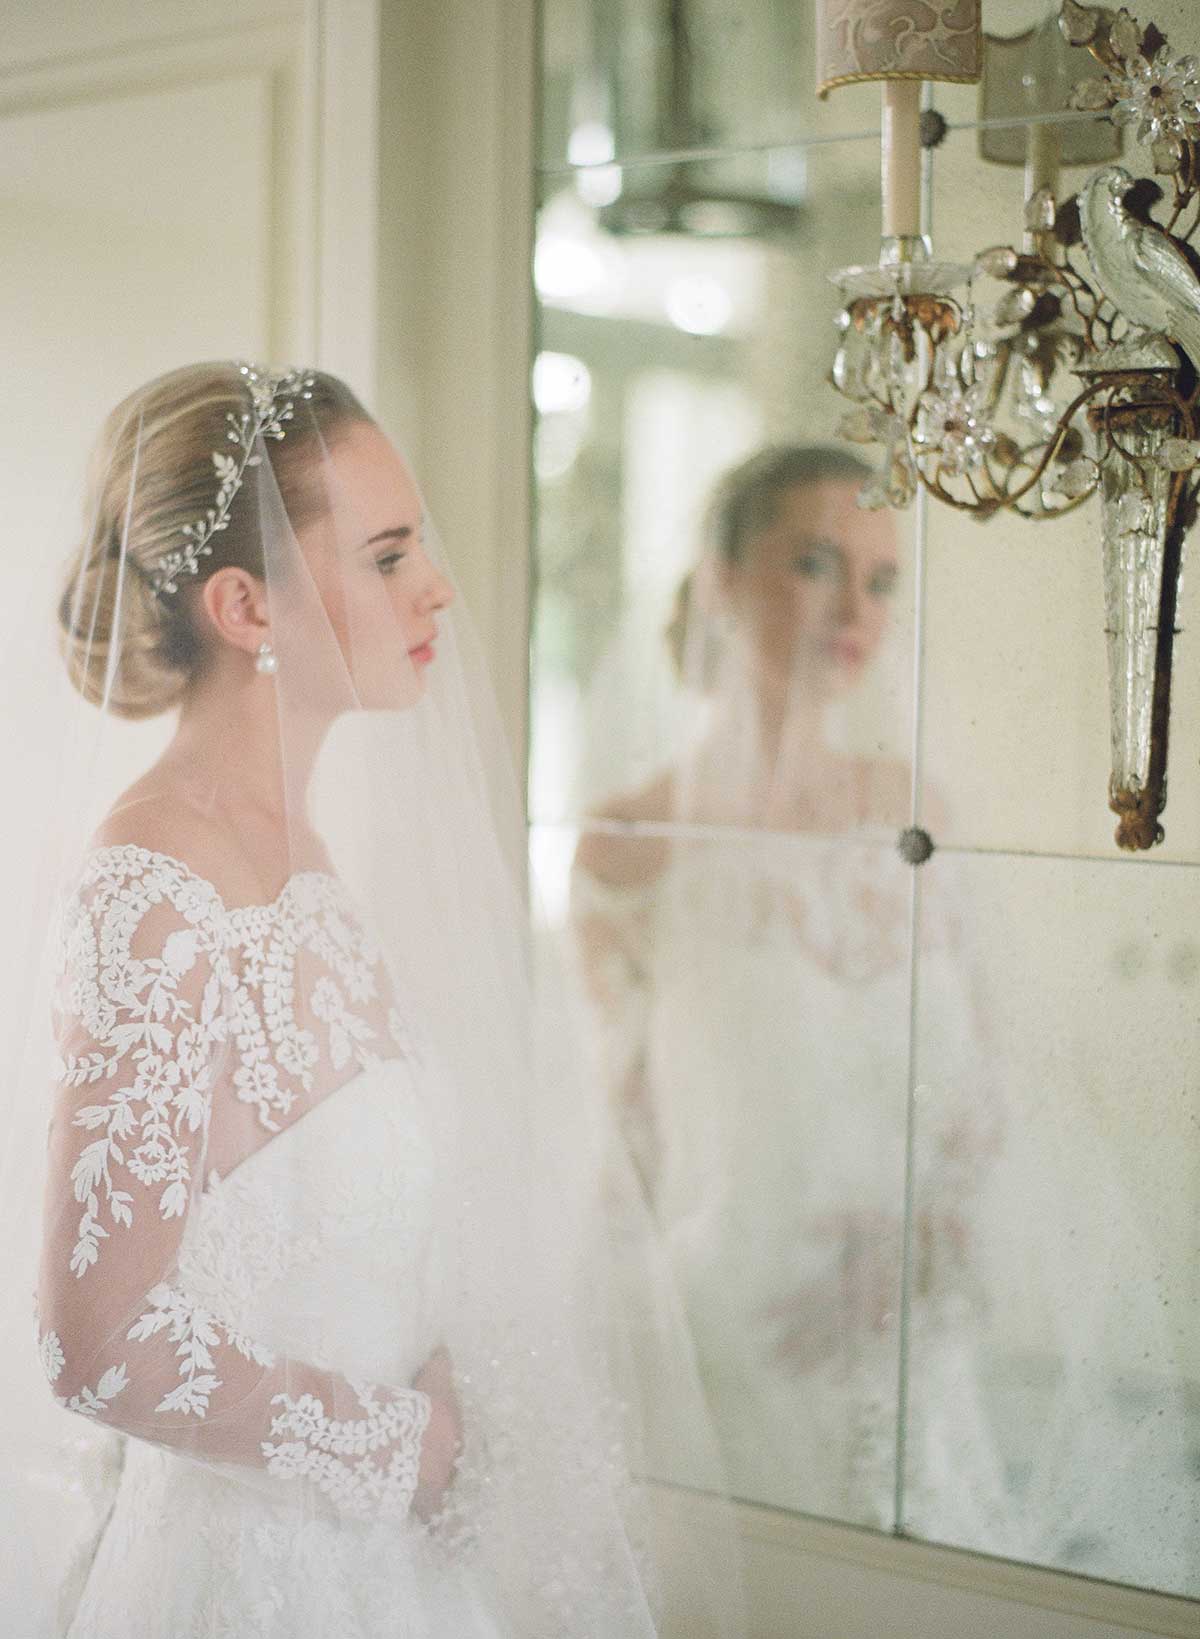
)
(896, 40)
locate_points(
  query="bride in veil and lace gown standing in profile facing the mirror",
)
(304, 1279)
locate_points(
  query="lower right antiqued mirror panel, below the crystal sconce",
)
(1053, 1210)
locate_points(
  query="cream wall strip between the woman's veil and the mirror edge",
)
(457, 301)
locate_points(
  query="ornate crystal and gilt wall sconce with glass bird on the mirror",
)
(1040, 376)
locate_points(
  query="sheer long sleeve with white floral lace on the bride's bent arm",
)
(148, 1033)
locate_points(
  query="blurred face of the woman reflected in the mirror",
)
(812, 589)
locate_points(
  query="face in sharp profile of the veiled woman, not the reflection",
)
(378, 586)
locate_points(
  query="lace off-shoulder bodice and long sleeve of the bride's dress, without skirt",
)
(173, 1012)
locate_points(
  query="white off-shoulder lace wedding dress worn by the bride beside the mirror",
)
(261, 1346)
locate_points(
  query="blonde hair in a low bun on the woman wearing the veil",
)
(170, 430)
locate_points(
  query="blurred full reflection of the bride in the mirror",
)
(745, 924)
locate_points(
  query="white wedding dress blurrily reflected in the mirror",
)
(755, 1006)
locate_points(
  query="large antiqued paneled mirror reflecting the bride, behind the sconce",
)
(919, 1133)
